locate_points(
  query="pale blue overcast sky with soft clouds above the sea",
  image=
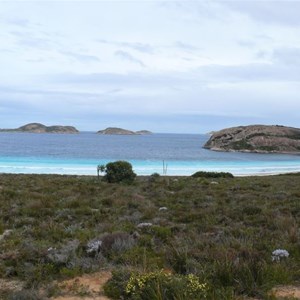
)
(165, 66)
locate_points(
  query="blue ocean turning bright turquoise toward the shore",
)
(80, 154)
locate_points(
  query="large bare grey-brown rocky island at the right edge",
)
(256, 138)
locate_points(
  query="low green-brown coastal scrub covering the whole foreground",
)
(161, 237)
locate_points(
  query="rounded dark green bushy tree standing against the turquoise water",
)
(119, 171)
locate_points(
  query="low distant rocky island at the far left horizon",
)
(40, 128)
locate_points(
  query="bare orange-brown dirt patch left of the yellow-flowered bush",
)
(85, 287)
